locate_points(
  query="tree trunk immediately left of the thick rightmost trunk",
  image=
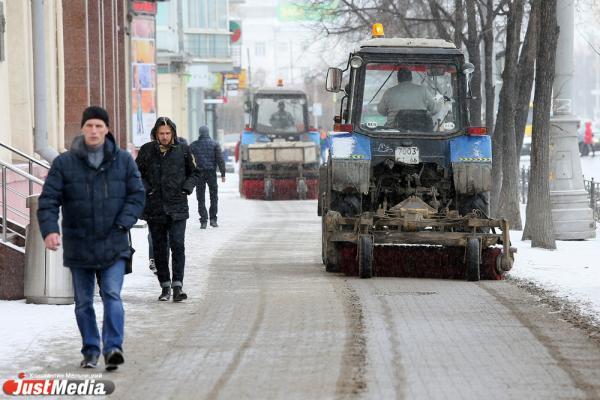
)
(508, 201)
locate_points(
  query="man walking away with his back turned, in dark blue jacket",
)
(208, 156)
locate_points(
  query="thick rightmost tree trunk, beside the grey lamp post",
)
(538, 225)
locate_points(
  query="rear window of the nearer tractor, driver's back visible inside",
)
(410, 98)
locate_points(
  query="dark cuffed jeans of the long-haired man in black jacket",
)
(164, 235)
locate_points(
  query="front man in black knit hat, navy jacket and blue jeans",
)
(99, 189)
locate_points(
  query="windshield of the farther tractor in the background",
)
(280, 115)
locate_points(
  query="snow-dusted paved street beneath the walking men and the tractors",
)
(265, 321)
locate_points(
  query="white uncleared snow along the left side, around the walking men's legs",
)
(28, 329)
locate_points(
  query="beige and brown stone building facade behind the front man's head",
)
(86, 50)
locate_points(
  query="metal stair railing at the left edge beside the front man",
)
(5, 189)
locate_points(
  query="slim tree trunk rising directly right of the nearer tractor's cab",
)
(472, 43)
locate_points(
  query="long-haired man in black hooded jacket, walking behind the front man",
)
(169, 176)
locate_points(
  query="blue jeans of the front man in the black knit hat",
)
(111, 282)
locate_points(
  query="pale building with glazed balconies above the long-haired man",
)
(193, 43)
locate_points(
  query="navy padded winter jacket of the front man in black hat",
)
(98, 205)
